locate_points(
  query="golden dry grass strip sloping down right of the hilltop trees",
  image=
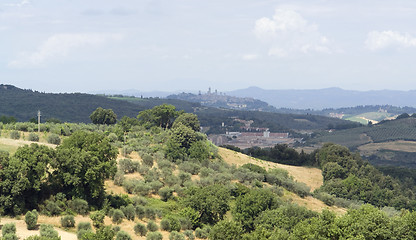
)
(310, 176)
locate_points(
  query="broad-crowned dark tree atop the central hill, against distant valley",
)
(161, 116)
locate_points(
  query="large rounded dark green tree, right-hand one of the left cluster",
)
(83, 162)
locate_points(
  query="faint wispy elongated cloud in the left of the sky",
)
(61, 45)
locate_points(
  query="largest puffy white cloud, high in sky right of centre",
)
(288, 33)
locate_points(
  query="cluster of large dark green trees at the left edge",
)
(77, 168)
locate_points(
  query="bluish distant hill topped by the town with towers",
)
(224, 101)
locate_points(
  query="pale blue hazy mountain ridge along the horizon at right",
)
(327, 98)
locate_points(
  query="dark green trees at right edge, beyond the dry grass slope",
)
(347, 176)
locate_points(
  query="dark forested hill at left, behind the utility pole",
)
(23, 104)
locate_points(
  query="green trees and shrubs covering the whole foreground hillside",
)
(198, 194)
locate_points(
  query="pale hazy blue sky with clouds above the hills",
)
(87, 45)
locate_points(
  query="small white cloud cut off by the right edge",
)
(389, 39)
